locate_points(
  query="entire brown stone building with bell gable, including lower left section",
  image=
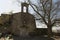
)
(21, 23)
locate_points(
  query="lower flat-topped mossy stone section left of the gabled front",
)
(4, 22)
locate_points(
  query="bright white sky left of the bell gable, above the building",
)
(8, 5)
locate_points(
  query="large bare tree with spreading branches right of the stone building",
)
(47, 10)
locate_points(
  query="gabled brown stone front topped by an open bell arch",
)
(23, 22)
